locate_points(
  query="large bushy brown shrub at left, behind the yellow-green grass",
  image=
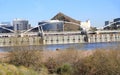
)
(28, 58)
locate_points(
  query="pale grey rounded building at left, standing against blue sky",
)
(20, 25)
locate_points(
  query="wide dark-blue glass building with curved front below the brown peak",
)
(52, 25)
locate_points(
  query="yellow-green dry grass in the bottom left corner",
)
(7, 69)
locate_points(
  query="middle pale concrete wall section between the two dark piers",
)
(63, 39)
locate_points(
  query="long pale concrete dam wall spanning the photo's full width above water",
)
(58, 39)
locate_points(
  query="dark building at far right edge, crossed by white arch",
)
(112, 25)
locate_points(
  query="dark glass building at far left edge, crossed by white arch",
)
(6, 27)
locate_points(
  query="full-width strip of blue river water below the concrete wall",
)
(84, 46)
